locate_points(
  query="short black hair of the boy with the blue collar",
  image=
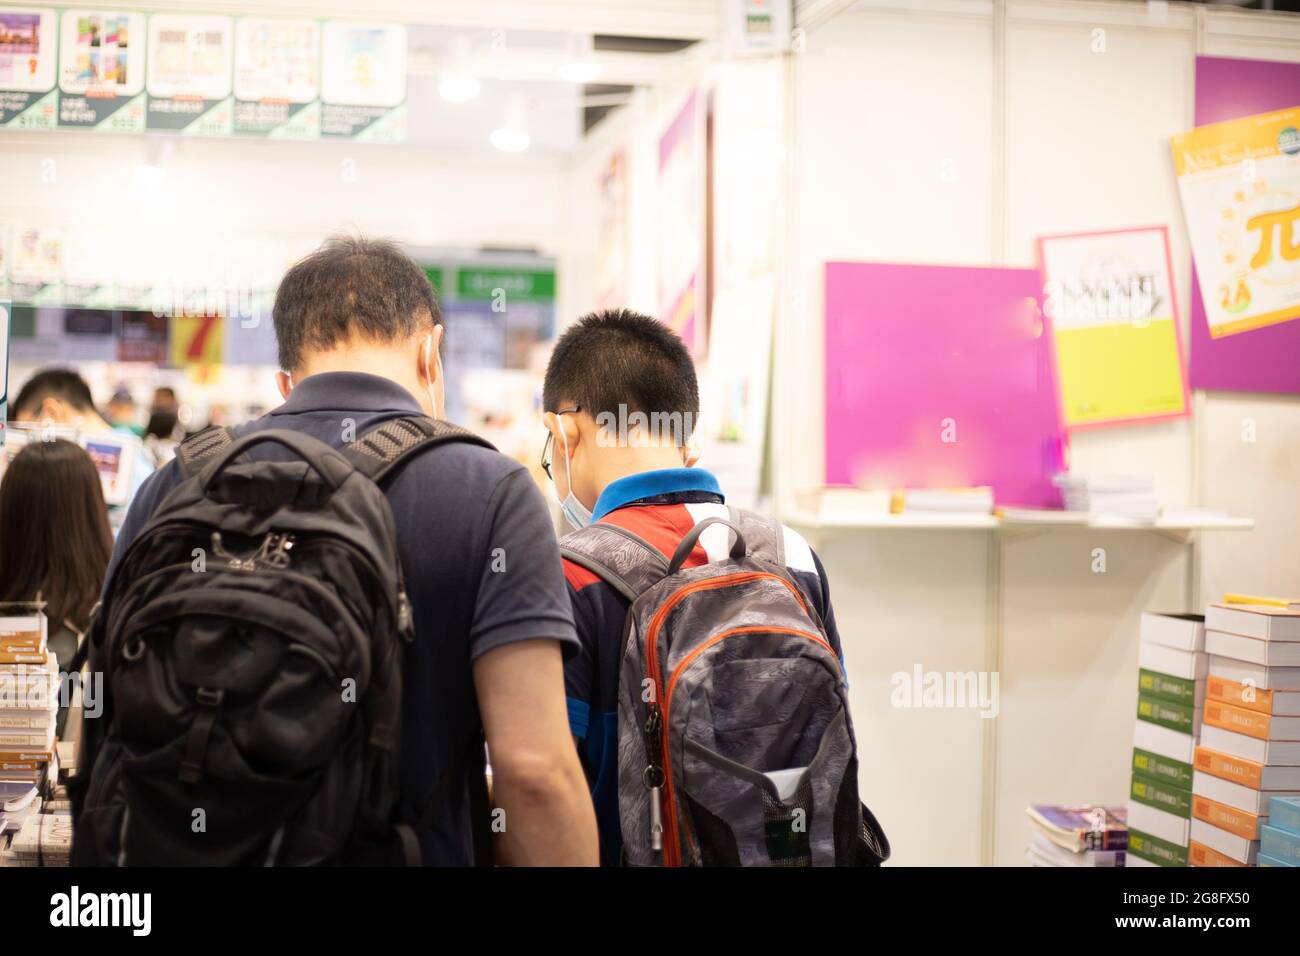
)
(621, 357)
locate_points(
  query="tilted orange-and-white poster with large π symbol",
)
(1241, 188)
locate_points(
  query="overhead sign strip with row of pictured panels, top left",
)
(202, 75)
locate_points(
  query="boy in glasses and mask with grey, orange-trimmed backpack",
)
(708, 699)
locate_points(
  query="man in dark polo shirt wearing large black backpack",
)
(313, 622)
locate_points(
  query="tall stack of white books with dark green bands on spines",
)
(1172, 668)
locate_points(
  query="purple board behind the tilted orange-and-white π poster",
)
(1263, 360)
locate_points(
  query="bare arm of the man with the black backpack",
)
(538, 780)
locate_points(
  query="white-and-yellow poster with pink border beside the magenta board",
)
(1115, 326)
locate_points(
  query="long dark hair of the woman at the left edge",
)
(55, 539)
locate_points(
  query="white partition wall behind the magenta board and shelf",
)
(959, 132)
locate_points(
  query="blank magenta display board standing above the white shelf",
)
(941, 377)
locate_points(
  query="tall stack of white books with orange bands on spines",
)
(1250, 750)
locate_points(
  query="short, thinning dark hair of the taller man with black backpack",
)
(352, 288)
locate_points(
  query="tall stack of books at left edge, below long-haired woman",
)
(29, 694)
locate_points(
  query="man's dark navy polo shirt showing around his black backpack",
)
(454, 507)
